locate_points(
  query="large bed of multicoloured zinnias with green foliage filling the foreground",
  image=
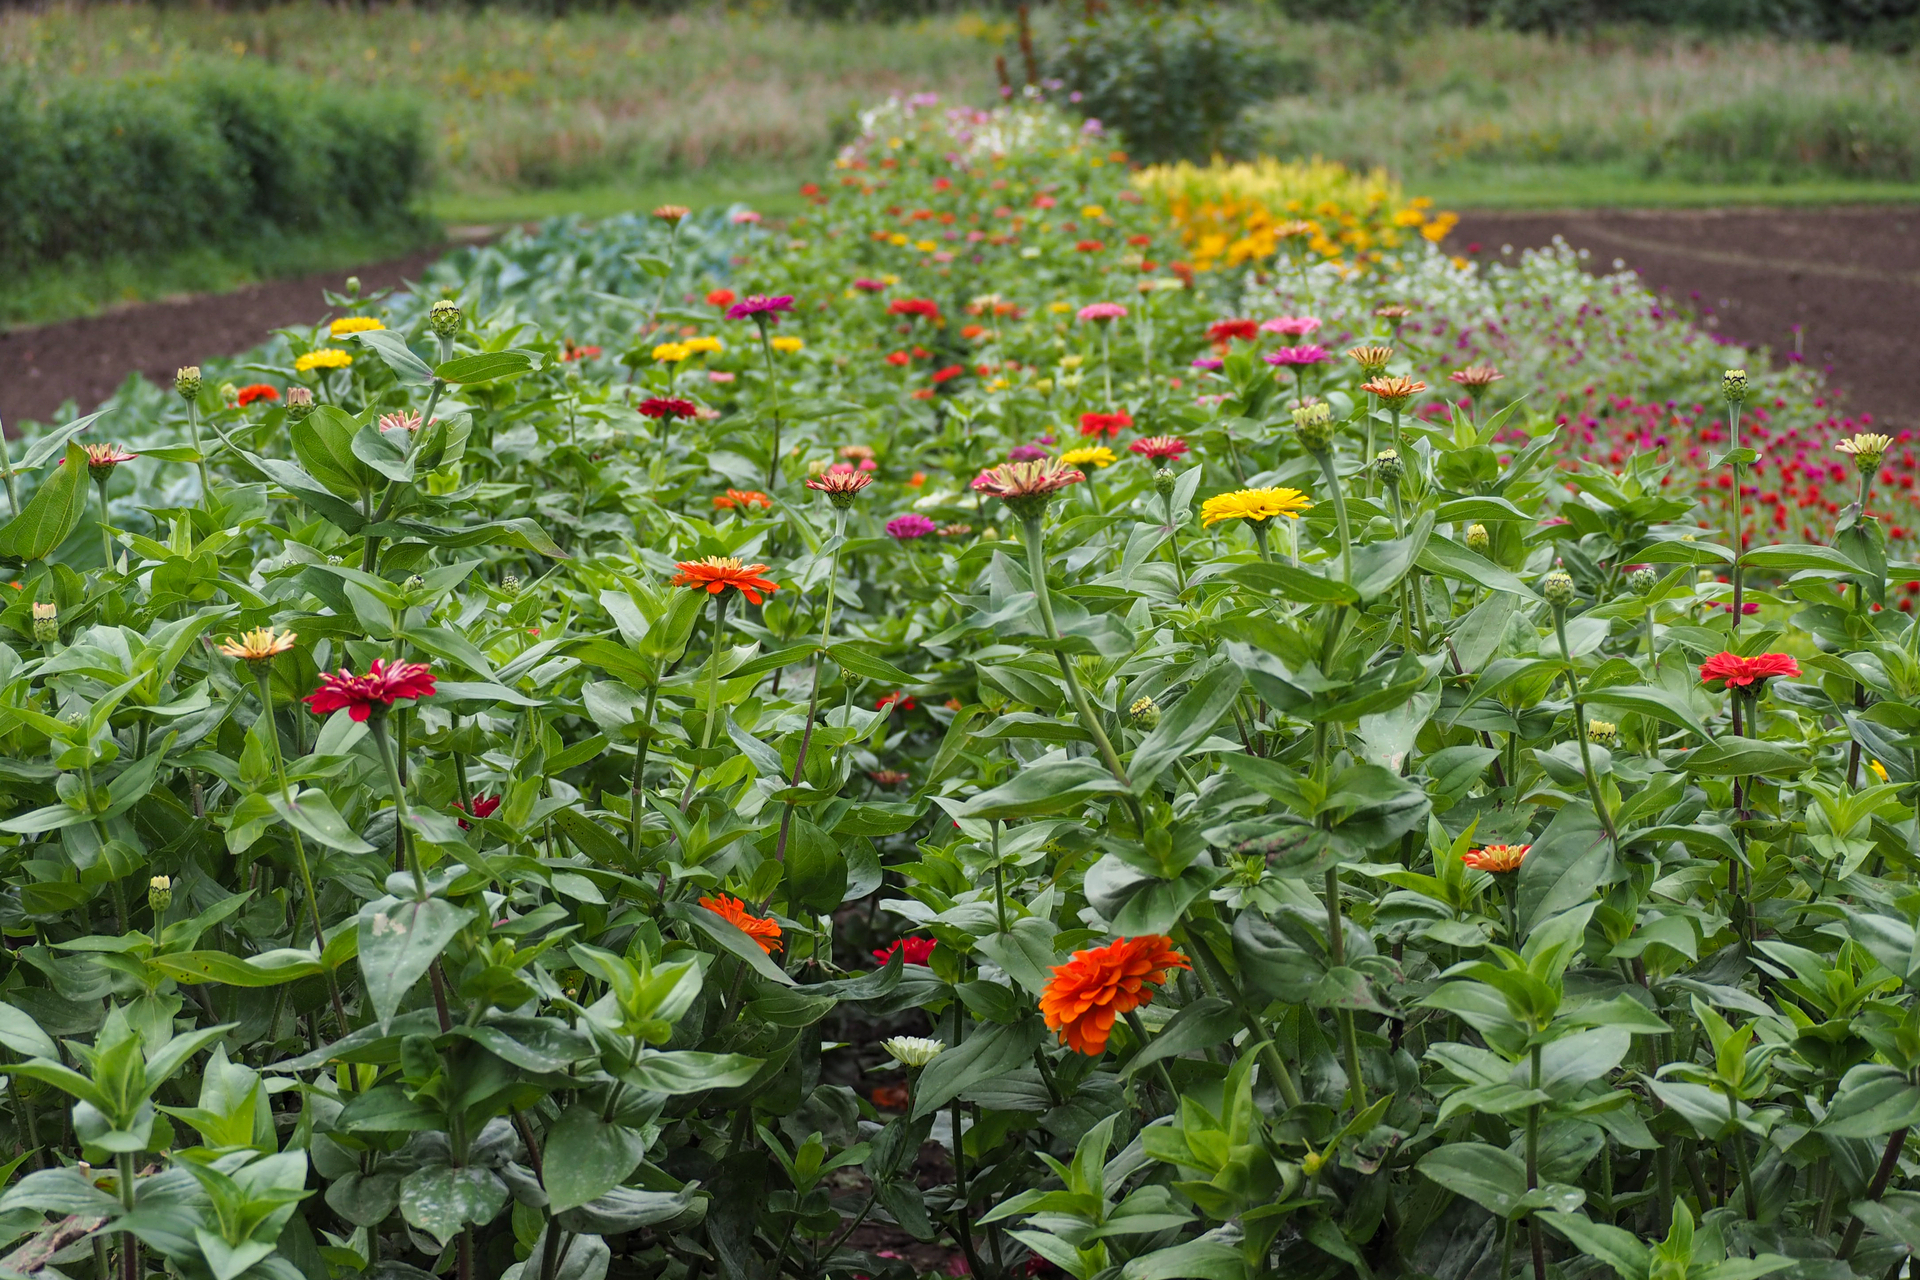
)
(588, 769)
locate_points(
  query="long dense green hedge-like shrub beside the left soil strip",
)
(147, 166)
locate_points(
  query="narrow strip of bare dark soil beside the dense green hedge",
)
(87, 360)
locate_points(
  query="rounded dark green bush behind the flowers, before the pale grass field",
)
(1176, 83)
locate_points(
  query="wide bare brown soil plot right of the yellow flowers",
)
(1838, 285)
